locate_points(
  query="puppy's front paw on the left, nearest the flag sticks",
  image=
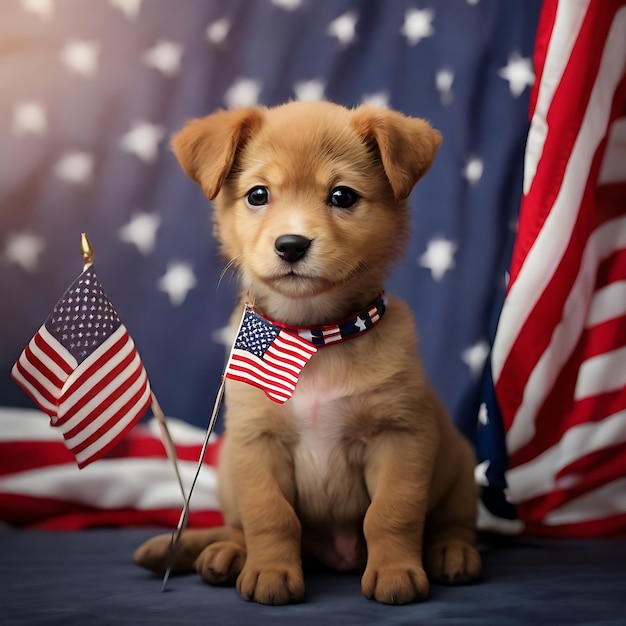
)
(277, 585)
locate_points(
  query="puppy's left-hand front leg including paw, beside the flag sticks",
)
(272, 573)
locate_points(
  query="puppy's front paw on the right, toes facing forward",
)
(395, 585)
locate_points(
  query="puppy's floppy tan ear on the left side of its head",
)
(206, 147)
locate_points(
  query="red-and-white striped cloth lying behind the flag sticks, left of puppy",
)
(133, 485)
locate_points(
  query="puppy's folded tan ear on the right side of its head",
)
(407, 145)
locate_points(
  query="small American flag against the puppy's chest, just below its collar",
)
(268, 357)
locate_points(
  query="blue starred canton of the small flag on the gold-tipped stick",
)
(84, 317)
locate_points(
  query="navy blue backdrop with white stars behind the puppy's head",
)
(91, 91)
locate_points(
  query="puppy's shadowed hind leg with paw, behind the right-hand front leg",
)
(450, 554)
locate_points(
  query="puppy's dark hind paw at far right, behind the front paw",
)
(453, 563)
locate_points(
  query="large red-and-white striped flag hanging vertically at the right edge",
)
(559, 357)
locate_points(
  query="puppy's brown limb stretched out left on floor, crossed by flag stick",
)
(154, 553)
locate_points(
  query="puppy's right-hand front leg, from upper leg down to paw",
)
(397, 473)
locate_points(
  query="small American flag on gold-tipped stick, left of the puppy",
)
(83, 370)
